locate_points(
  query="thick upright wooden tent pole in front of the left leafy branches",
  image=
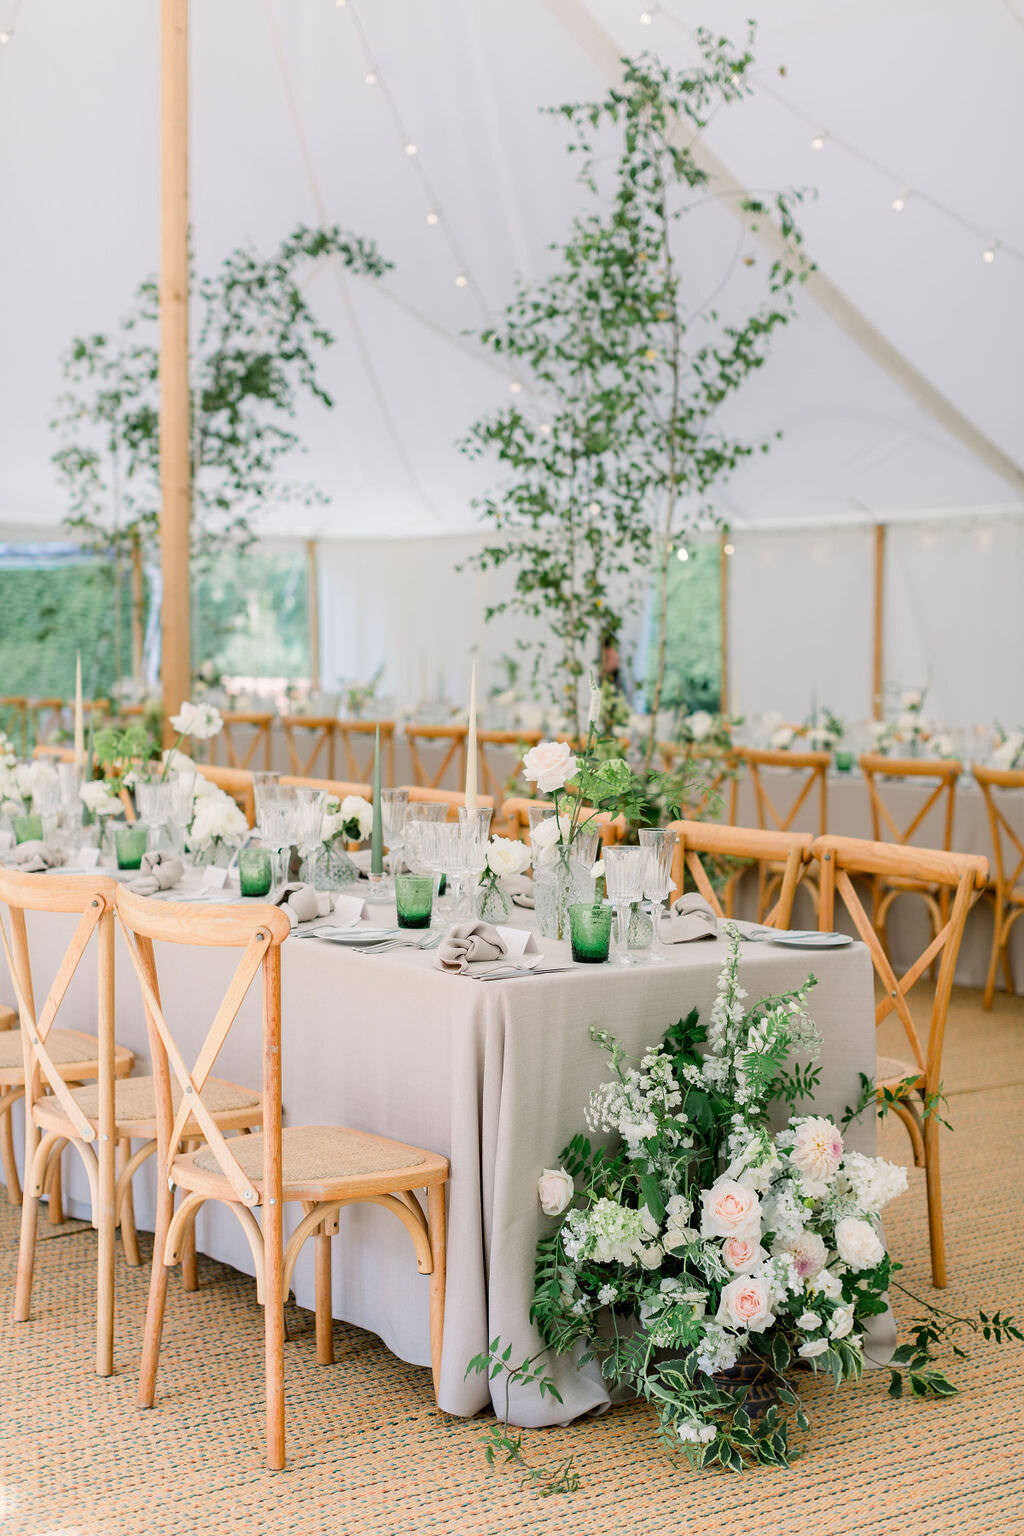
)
(176, 469)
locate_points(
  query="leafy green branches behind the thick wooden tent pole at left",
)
(256, 356)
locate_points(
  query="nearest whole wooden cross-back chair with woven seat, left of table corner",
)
(322, 1168)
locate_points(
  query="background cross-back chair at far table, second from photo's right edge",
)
(887, 830)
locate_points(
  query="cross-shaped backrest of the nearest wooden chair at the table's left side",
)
(259, 933)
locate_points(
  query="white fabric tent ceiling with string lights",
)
(927, 88)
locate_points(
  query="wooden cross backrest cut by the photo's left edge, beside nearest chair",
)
(93, 899)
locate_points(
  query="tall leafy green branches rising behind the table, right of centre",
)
(616, 449)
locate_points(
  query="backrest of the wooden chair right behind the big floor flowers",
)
(841, 861)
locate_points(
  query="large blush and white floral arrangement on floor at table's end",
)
(704, 1239)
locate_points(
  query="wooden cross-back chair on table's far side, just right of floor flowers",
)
(913, 1085)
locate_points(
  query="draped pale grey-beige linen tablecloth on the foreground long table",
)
(495, 1076)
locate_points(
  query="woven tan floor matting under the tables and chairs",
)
(371, 1457)
